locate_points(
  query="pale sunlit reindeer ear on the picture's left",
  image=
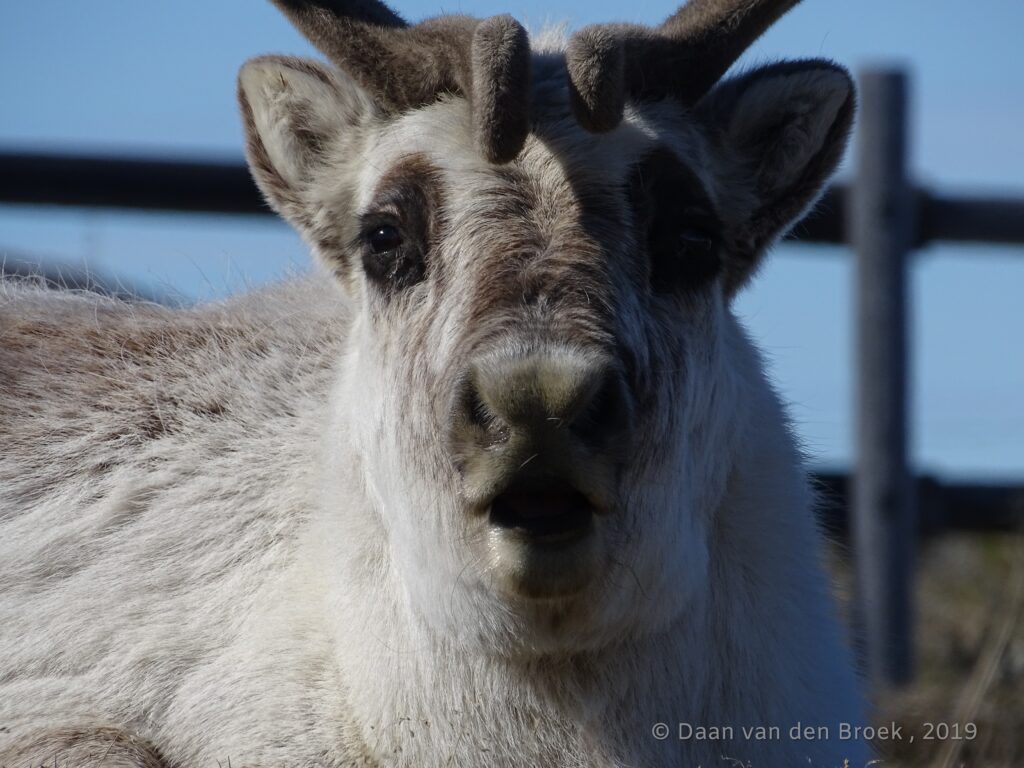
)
(300, 116)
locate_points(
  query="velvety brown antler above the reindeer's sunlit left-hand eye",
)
(486, 61)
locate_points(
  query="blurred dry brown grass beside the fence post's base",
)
(969, 627)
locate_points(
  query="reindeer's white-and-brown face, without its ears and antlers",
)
(535, 335)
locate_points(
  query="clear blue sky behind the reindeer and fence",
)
(127, 77)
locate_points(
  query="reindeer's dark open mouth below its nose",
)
(552, 514)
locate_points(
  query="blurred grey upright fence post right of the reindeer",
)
(882, 222)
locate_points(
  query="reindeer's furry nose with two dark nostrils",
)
(548, 396)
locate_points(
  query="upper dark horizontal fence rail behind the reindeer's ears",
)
(194, 187)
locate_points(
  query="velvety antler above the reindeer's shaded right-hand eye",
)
(682, 58)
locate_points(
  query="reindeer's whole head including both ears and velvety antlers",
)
(541, 248)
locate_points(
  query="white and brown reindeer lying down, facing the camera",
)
(510, 488)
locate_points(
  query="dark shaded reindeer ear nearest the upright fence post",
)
(779, 133)
